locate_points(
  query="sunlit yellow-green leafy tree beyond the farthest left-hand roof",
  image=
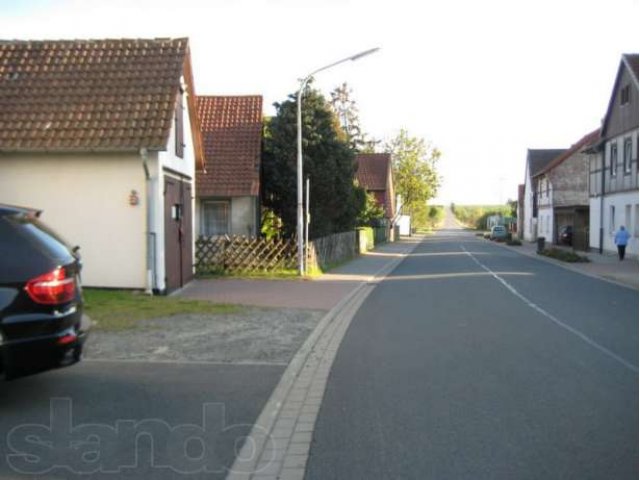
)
(415, 174)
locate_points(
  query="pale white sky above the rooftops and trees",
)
(481, 80)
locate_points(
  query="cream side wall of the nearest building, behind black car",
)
(86, 199)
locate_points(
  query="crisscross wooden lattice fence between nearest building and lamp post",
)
(238, 254)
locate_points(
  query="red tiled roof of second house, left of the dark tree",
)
(232, 138)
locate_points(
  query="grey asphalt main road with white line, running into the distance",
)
(471, 361)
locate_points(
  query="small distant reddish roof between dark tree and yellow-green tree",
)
(373, 174)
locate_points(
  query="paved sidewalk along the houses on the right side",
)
(606, 266)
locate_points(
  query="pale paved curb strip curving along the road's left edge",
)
(279, 443)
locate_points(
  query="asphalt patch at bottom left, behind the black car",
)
(130, 420)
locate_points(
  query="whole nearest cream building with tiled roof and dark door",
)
(102, 136)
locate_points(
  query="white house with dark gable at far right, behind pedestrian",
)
(613, 174)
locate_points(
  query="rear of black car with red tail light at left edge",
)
(42, 325)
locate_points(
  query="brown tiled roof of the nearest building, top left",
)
(79, 95)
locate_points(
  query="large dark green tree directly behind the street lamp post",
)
(328, 161)
